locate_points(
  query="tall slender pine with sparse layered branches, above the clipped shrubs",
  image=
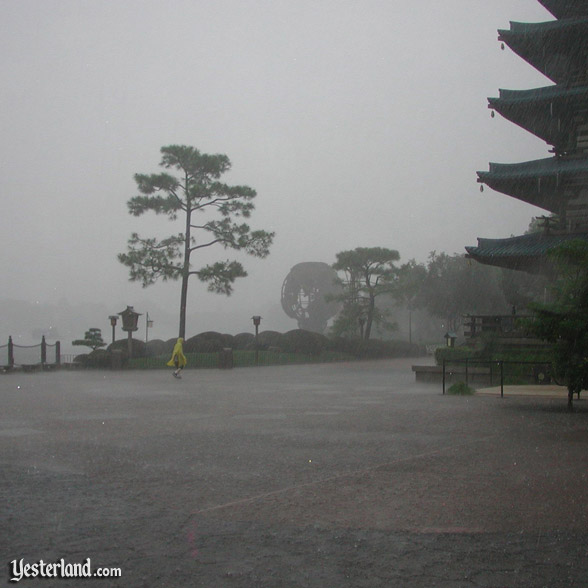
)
(207, 209)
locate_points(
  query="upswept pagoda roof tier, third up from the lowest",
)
(546, 112)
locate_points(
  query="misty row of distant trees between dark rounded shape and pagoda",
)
(447, 287)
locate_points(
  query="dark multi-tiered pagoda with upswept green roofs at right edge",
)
(557, 114)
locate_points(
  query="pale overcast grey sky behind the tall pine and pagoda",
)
(359, 123)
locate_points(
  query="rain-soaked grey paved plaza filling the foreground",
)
(326, 476)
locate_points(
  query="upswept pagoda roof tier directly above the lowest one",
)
(542, 182)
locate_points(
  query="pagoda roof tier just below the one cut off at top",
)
(557, 49)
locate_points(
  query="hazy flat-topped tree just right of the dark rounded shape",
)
(369, 272)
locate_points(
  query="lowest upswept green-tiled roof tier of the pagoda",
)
(525, 252)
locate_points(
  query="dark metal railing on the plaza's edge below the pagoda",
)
(497, 372)
